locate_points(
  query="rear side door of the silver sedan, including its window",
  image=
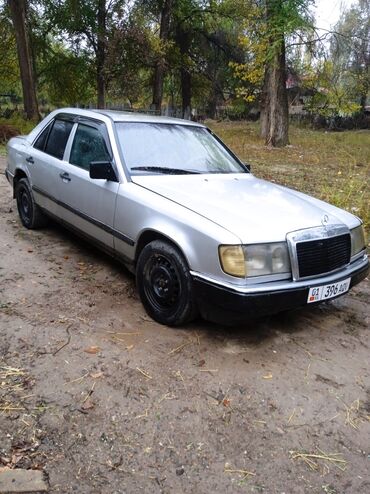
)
(45, 163)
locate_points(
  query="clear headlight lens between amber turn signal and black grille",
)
(267, 259)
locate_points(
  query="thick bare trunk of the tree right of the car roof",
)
(274, 98)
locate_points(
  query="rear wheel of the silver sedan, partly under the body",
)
(29, 212)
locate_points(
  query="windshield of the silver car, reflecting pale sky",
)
(152, 148)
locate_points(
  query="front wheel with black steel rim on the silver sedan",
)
(165, 285)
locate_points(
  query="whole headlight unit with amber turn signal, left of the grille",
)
(255, 260)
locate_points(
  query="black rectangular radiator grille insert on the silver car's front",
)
(323, 255)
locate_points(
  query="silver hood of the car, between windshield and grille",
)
(250, 208)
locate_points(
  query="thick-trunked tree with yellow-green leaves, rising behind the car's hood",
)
(268, 25)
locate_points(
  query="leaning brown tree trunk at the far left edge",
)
(18, 10)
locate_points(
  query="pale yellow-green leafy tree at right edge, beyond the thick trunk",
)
(337, 74)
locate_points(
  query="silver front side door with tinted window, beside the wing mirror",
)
(89, 204)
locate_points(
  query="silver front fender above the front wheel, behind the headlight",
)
(140, 212)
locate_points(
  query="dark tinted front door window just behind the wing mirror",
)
(88, 145)
